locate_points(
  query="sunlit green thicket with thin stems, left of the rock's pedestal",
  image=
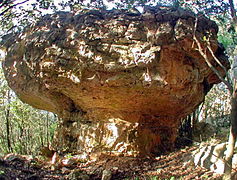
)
(23, 129)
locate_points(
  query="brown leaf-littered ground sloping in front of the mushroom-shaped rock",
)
(170, 166)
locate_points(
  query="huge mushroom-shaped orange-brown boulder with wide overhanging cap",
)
(120, 81)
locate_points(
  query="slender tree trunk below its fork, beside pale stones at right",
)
(232, 137)
